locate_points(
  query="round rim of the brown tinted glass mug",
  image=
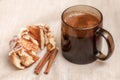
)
(101, 19)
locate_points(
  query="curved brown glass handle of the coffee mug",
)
(110, 42)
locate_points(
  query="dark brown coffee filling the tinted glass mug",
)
(77, 46)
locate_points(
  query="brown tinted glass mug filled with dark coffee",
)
(81, 44)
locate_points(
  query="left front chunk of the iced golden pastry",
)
(23, 50)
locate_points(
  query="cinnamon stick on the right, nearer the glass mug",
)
(52, 57)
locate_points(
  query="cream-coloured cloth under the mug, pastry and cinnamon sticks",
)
(15, 14)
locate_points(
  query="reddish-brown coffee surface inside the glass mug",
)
(81, 20)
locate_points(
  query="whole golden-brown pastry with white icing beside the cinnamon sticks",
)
(24, 46)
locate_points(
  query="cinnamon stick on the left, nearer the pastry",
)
(42, 63)
